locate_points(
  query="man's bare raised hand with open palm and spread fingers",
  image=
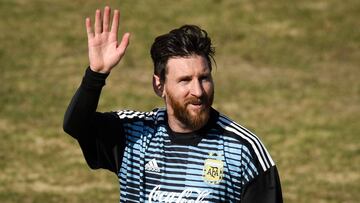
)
(104, 49)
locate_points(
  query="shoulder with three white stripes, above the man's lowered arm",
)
(247, 139)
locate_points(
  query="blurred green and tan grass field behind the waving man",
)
(288, 70)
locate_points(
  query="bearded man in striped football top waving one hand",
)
(185, 152)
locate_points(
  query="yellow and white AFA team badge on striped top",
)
(213, 170)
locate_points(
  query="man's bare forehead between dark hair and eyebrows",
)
(194, 64)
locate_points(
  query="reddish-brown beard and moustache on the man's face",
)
(192, 119)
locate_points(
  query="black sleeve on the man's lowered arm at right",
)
(264, 188)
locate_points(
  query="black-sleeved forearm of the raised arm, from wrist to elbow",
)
(81, 110)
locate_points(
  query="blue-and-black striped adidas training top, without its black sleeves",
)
(214, 165)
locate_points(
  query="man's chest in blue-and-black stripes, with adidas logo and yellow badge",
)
(154, 169)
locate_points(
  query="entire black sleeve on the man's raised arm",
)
(100, 135)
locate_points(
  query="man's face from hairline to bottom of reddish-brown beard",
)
(188, 92)
